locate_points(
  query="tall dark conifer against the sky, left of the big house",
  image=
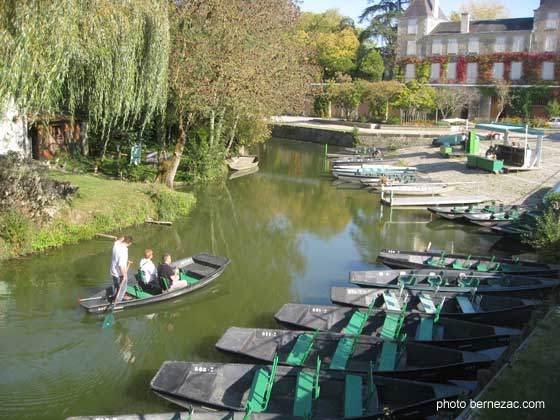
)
(382, 17)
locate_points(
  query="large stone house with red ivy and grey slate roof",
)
(522, 52)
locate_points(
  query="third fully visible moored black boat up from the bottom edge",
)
(388, 325)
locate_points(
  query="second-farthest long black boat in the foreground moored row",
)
(484, 283)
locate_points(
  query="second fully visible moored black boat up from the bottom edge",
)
(354, 354)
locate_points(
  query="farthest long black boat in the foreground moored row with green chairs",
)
(429, 260)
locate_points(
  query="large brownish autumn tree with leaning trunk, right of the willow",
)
(231, 61)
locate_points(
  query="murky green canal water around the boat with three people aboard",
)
(290, 235)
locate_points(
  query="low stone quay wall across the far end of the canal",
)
(341, 138)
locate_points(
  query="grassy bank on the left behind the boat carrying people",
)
(100, 205)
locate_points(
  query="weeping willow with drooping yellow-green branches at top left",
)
(105, 60)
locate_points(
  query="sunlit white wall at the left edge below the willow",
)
(13, 131)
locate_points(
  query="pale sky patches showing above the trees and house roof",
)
(353, 8)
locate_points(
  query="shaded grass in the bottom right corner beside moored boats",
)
(533, 376)
